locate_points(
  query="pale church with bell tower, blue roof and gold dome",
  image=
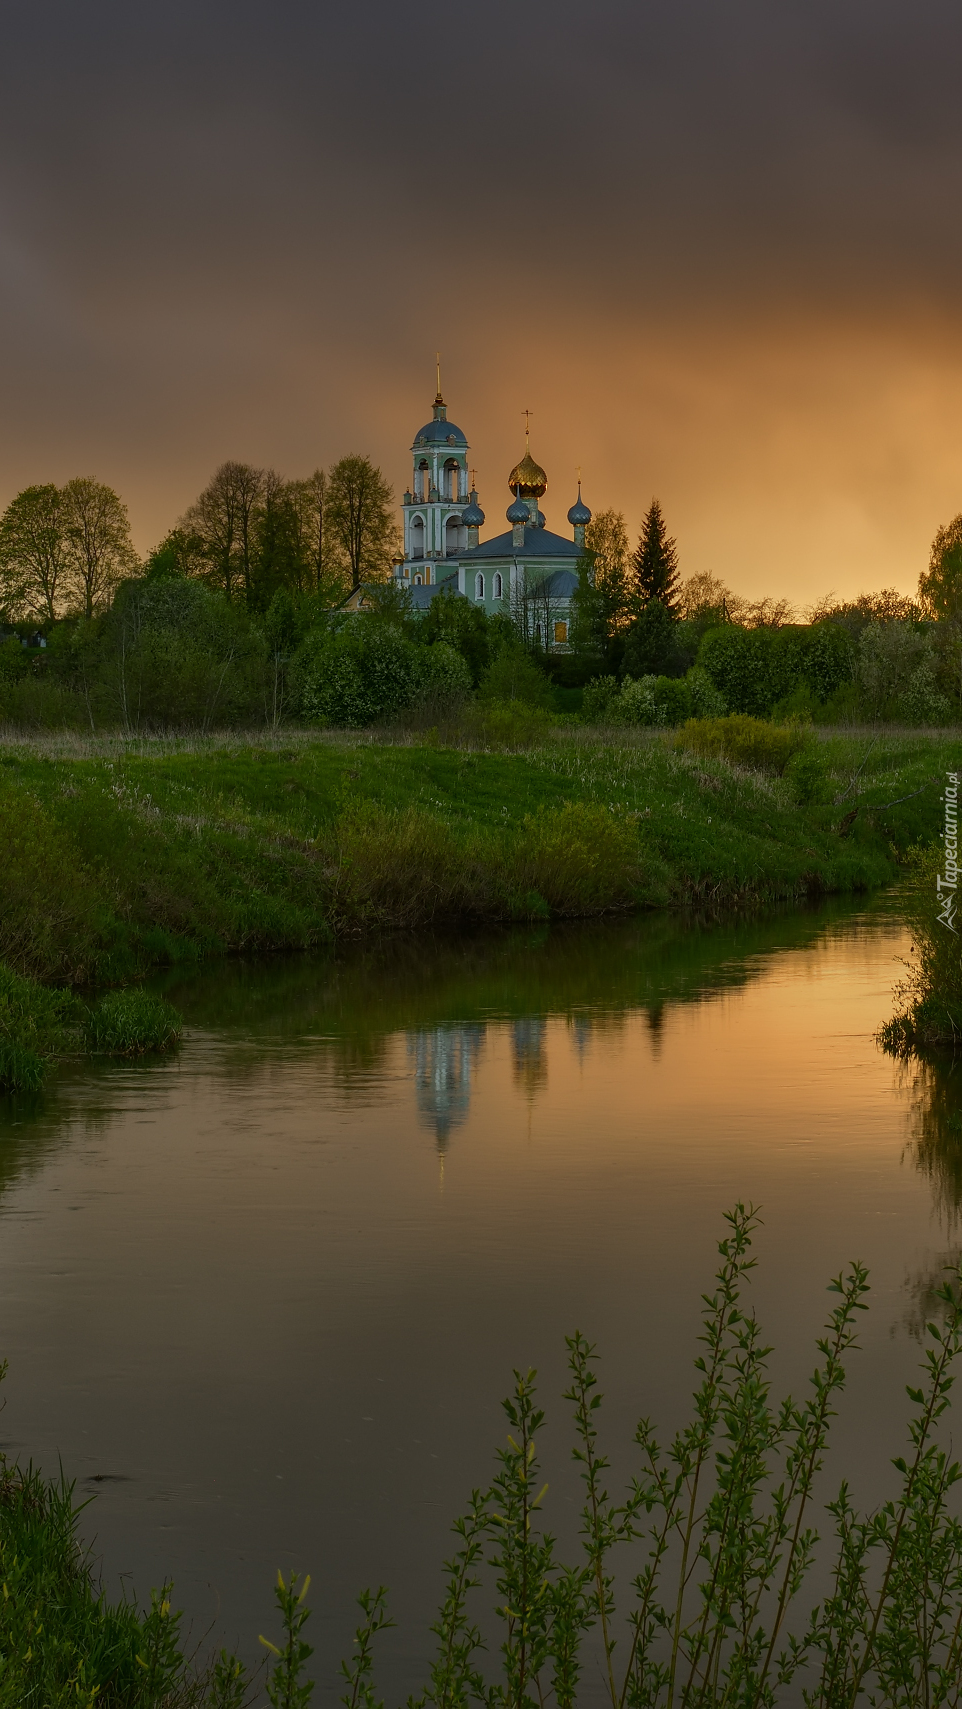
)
(529, 573)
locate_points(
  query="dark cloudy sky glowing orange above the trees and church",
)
(715, 249)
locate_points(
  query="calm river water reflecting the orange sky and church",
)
(264, 1300)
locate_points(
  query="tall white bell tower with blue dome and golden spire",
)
(437, 498)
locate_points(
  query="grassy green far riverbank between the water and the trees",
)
(120, 859)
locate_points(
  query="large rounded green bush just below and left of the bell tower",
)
(355, 674)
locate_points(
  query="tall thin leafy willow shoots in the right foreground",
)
(717, 1536)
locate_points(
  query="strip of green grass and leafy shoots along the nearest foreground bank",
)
(688, 1590)
